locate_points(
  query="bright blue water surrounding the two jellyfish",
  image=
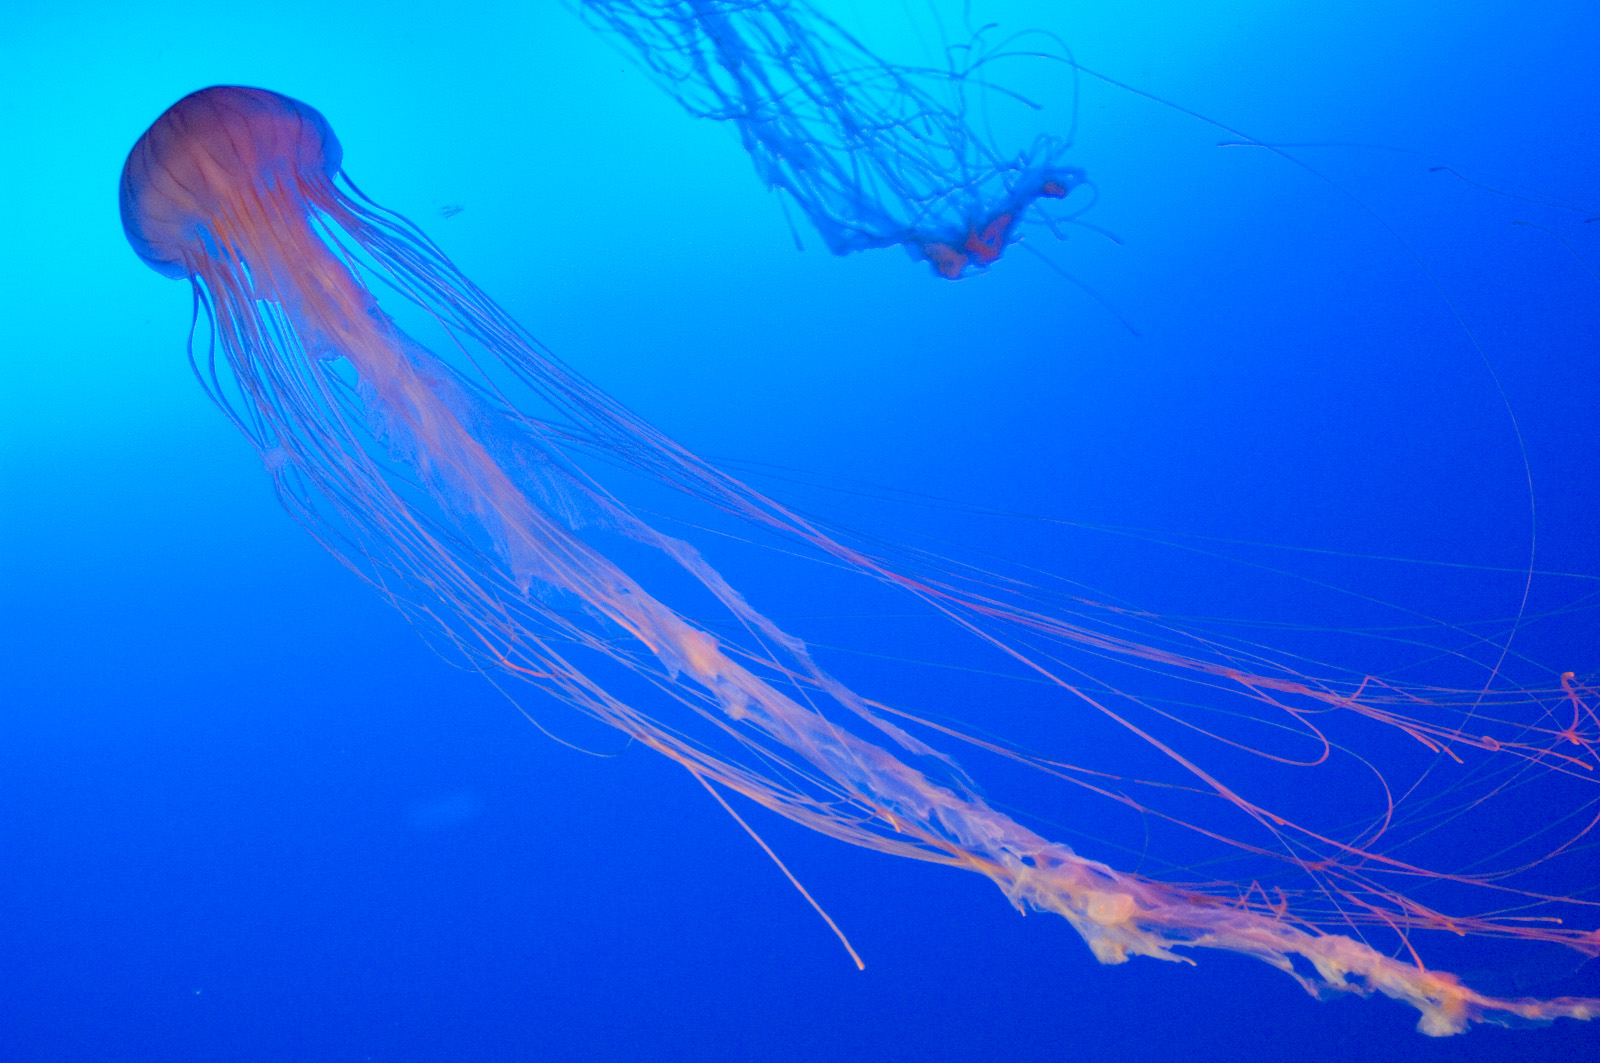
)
(246, 816)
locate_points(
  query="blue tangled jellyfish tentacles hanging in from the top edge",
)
(874, 154)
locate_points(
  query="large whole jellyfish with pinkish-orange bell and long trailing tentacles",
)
(466, 483)
